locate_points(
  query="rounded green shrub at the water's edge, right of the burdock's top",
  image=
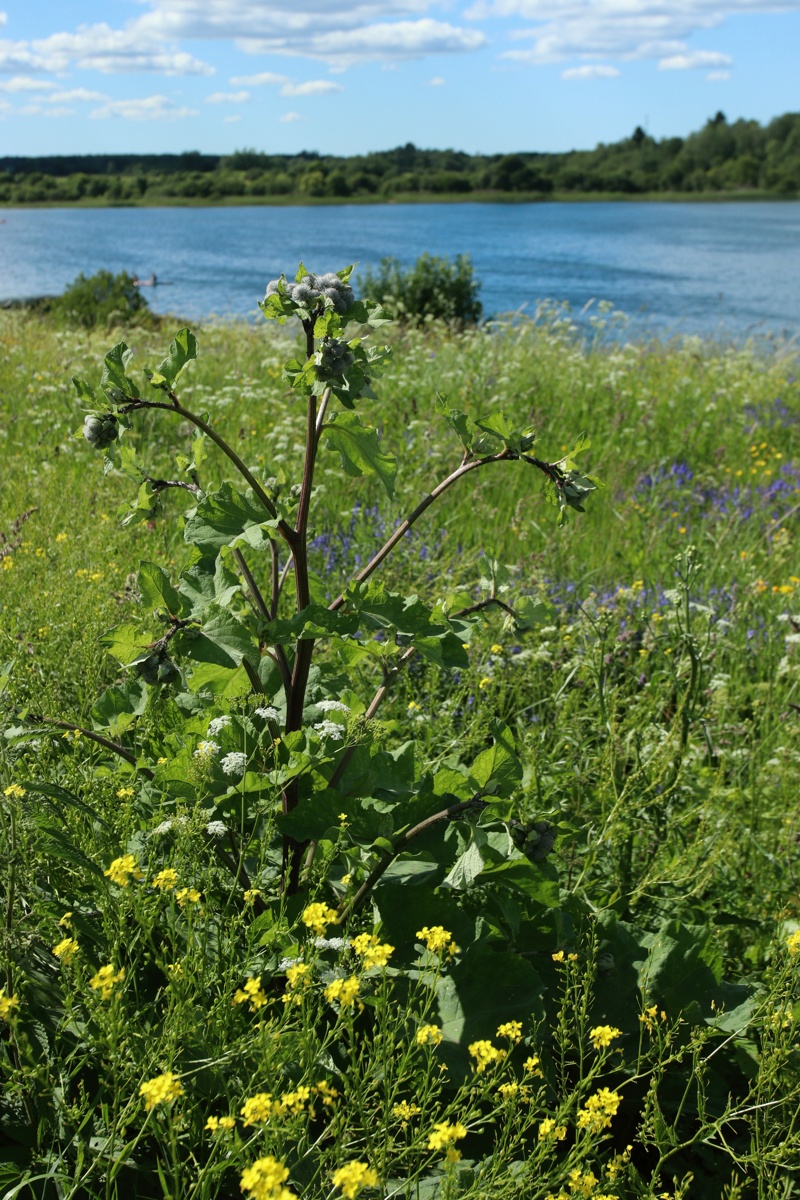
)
(435, 287)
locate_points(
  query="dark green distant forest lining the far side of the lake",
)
(723, 158)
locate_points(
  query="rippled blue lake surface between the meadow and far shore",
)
(725, 269)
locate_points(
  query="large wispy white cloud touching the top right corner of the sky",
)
(616, 29)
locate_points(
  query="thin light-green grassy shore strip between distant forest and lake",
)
(298, 201)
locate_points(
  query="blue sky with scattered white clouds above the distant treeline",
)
(352, 76)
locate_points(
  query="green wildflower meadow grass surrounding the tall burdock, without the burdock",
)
(658, 723)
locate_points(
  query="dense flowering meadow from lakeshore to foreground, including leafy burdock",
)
(582, 979)
